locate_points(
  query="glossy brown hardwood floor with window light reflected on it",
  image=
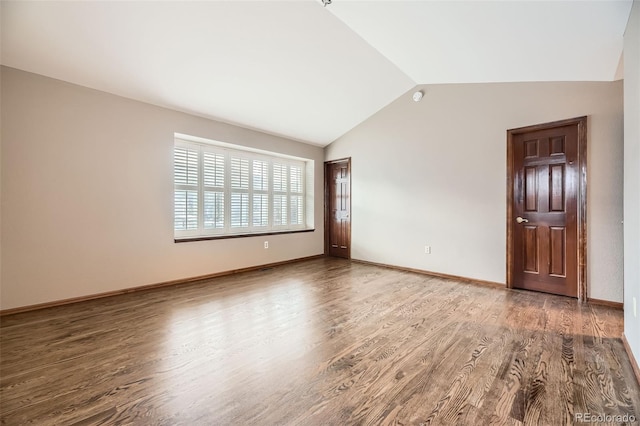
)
(321, 342)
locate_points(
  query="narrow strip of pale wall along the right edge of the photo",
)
(632, 179)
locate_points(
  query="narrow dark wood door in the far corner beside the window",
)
(338, 208)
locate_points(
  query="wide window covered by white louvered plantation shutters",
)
(221, 190)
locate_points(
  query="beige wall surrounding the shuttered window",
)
(87, 194)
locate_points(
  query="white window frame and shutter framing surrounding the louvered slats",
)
(228, 151)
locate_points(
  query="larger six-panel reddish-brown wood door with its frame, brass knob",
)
(545, 208)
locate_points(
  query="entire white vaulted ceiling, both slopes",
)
(296, 69)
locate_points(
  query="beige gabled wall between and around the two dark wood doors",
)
(434, 173)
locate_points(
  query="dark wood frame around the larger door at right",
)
(581, 122)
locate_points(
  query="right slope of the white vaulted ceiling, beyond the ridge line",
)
(493, 41)
